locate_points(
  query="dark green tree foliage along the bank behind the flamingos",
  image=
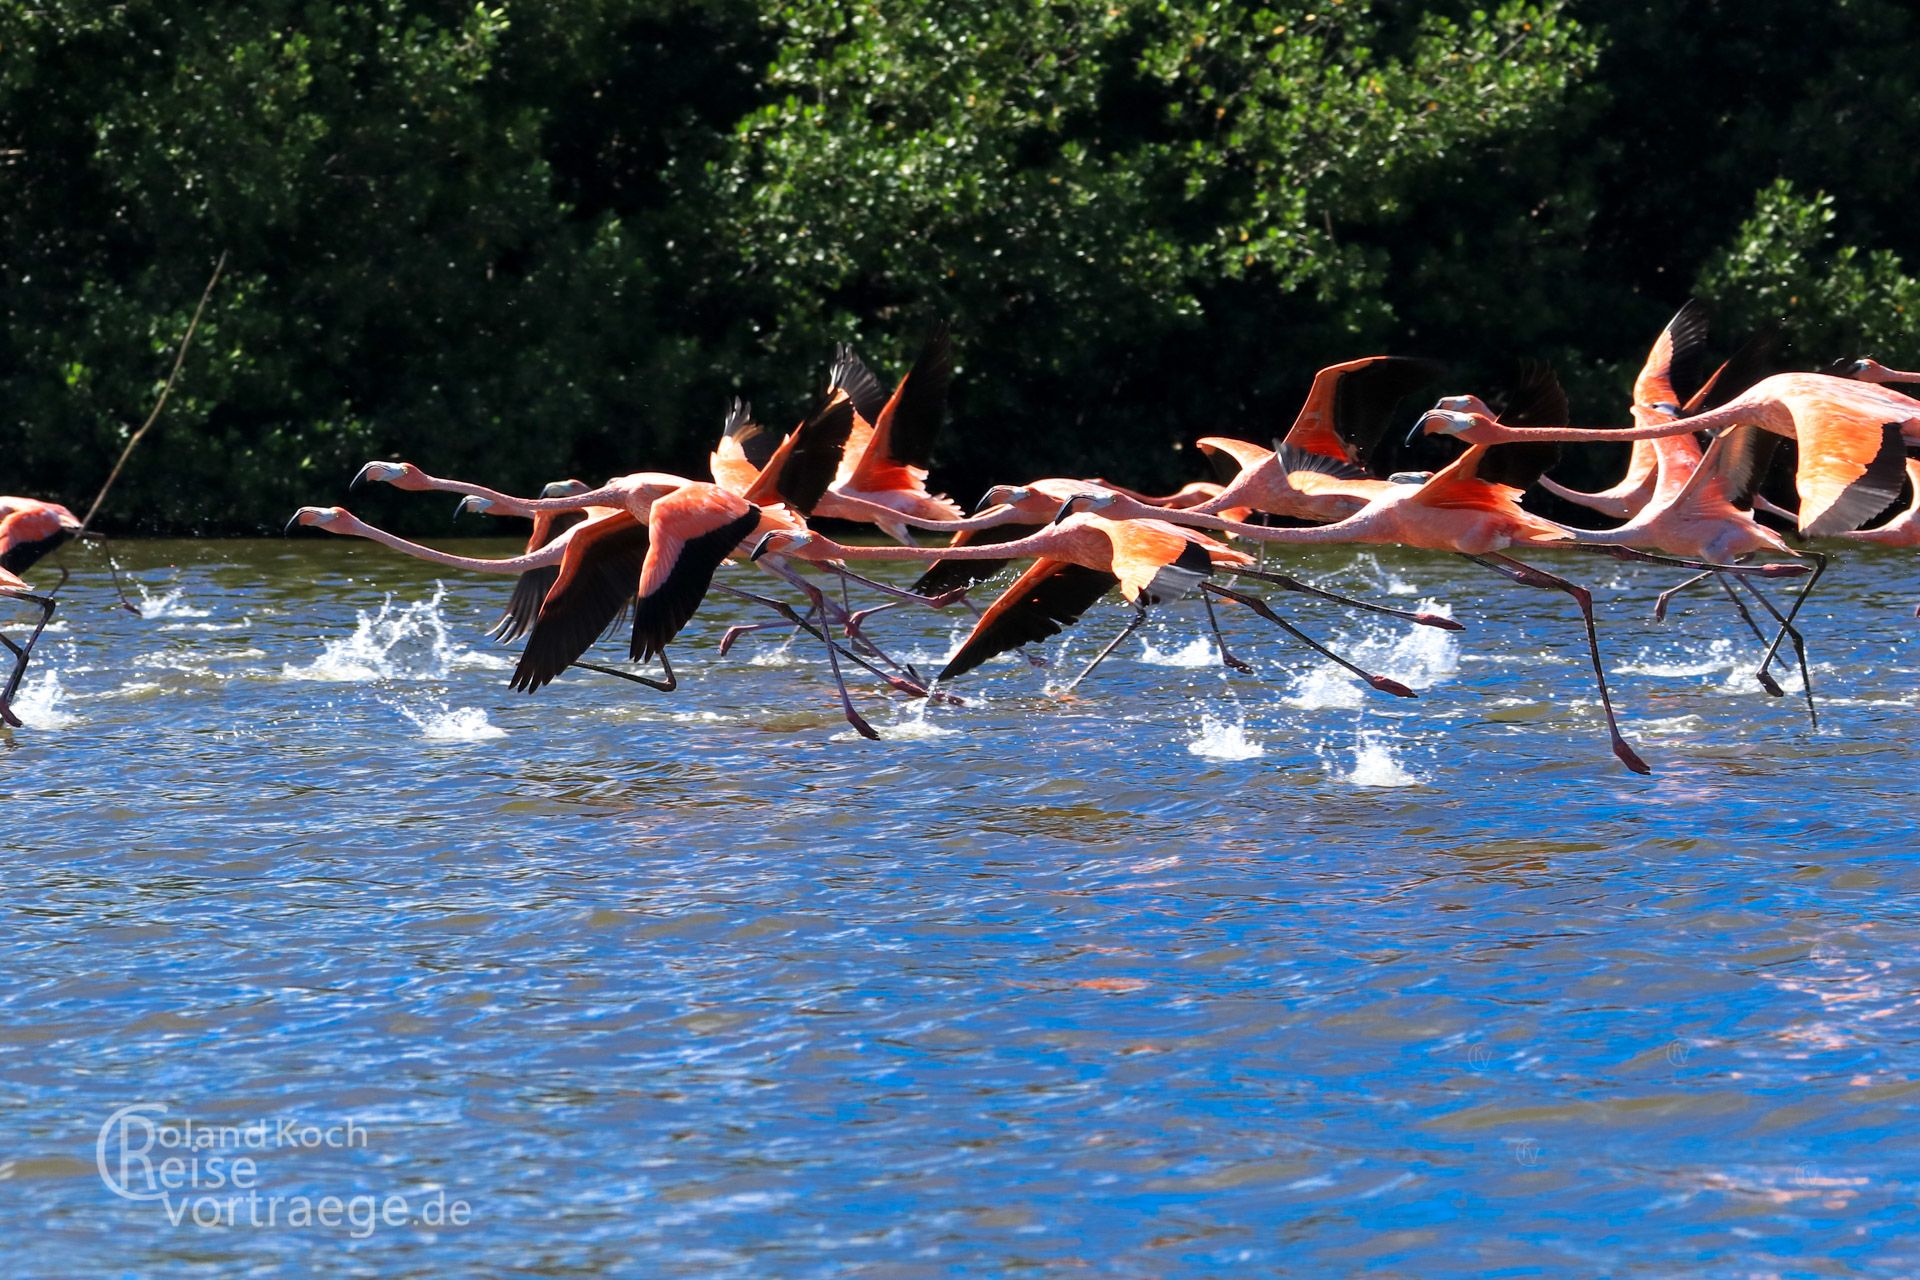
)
(523, 241)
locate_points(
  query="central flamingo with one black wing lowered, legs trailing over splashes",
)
(1076, 563)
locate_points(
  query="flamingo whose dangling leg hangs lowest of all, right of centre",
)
(1454, 511)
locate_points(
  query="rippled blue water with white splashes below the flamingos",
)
(1189, 974)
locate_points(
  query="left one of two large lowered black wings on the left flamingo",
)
(596, 582)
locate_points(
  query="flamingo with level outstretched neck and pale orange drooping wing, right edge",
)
(1852, 440)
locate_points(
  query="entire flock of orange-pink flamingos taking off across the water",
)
(654, 544)
